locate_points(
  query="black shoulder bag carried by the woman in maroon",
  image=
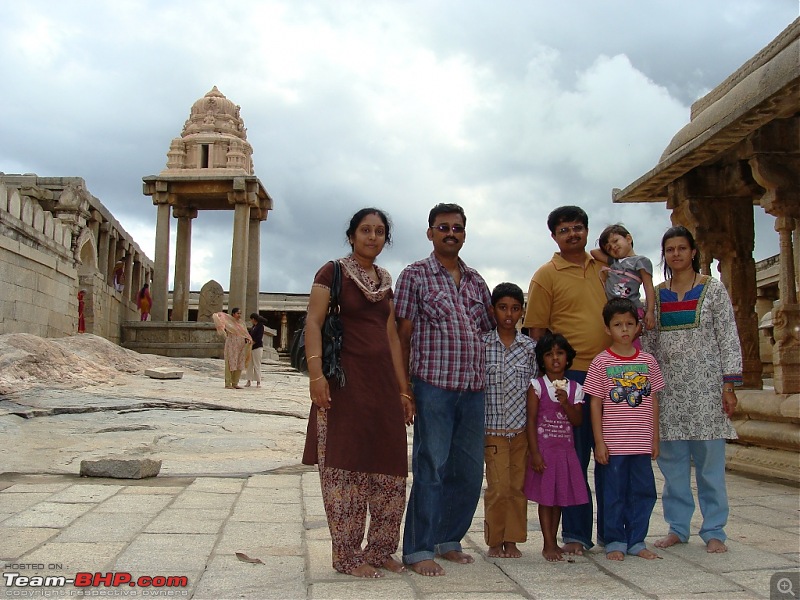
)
(332, 334)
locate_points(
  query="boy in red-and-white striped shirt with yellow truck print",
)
(622, 382)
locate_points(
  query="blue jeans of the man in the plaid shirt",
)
(447, 464)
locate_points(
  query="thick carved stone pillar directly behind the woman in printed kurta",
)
(716, 205)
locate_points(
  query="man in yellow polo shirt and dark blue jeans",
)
(566, 296)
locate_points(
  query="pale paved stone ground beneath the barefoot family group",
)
(231, 491)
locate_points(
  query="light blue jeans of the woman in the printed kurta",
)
(675, 460)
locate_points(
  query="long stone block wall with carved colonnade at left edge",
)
(49, 231)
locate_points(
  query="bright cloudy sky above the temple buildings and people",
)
(509, 108)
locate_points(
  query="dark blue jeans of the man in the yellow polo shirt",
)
(576, 521)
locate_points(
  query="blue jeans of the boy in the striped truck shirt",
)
(629, 491)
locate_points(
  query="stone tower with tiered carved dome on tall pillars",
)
(209, 167)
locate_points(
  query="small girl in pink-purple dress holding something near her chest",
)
(554, 477)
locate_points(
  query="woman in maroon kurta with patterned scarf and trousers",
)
(356, 433)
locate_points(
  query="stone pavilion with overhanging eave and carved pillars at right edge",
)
(742, 148)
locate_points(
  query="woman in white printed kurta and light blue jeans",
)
(697, 347)
